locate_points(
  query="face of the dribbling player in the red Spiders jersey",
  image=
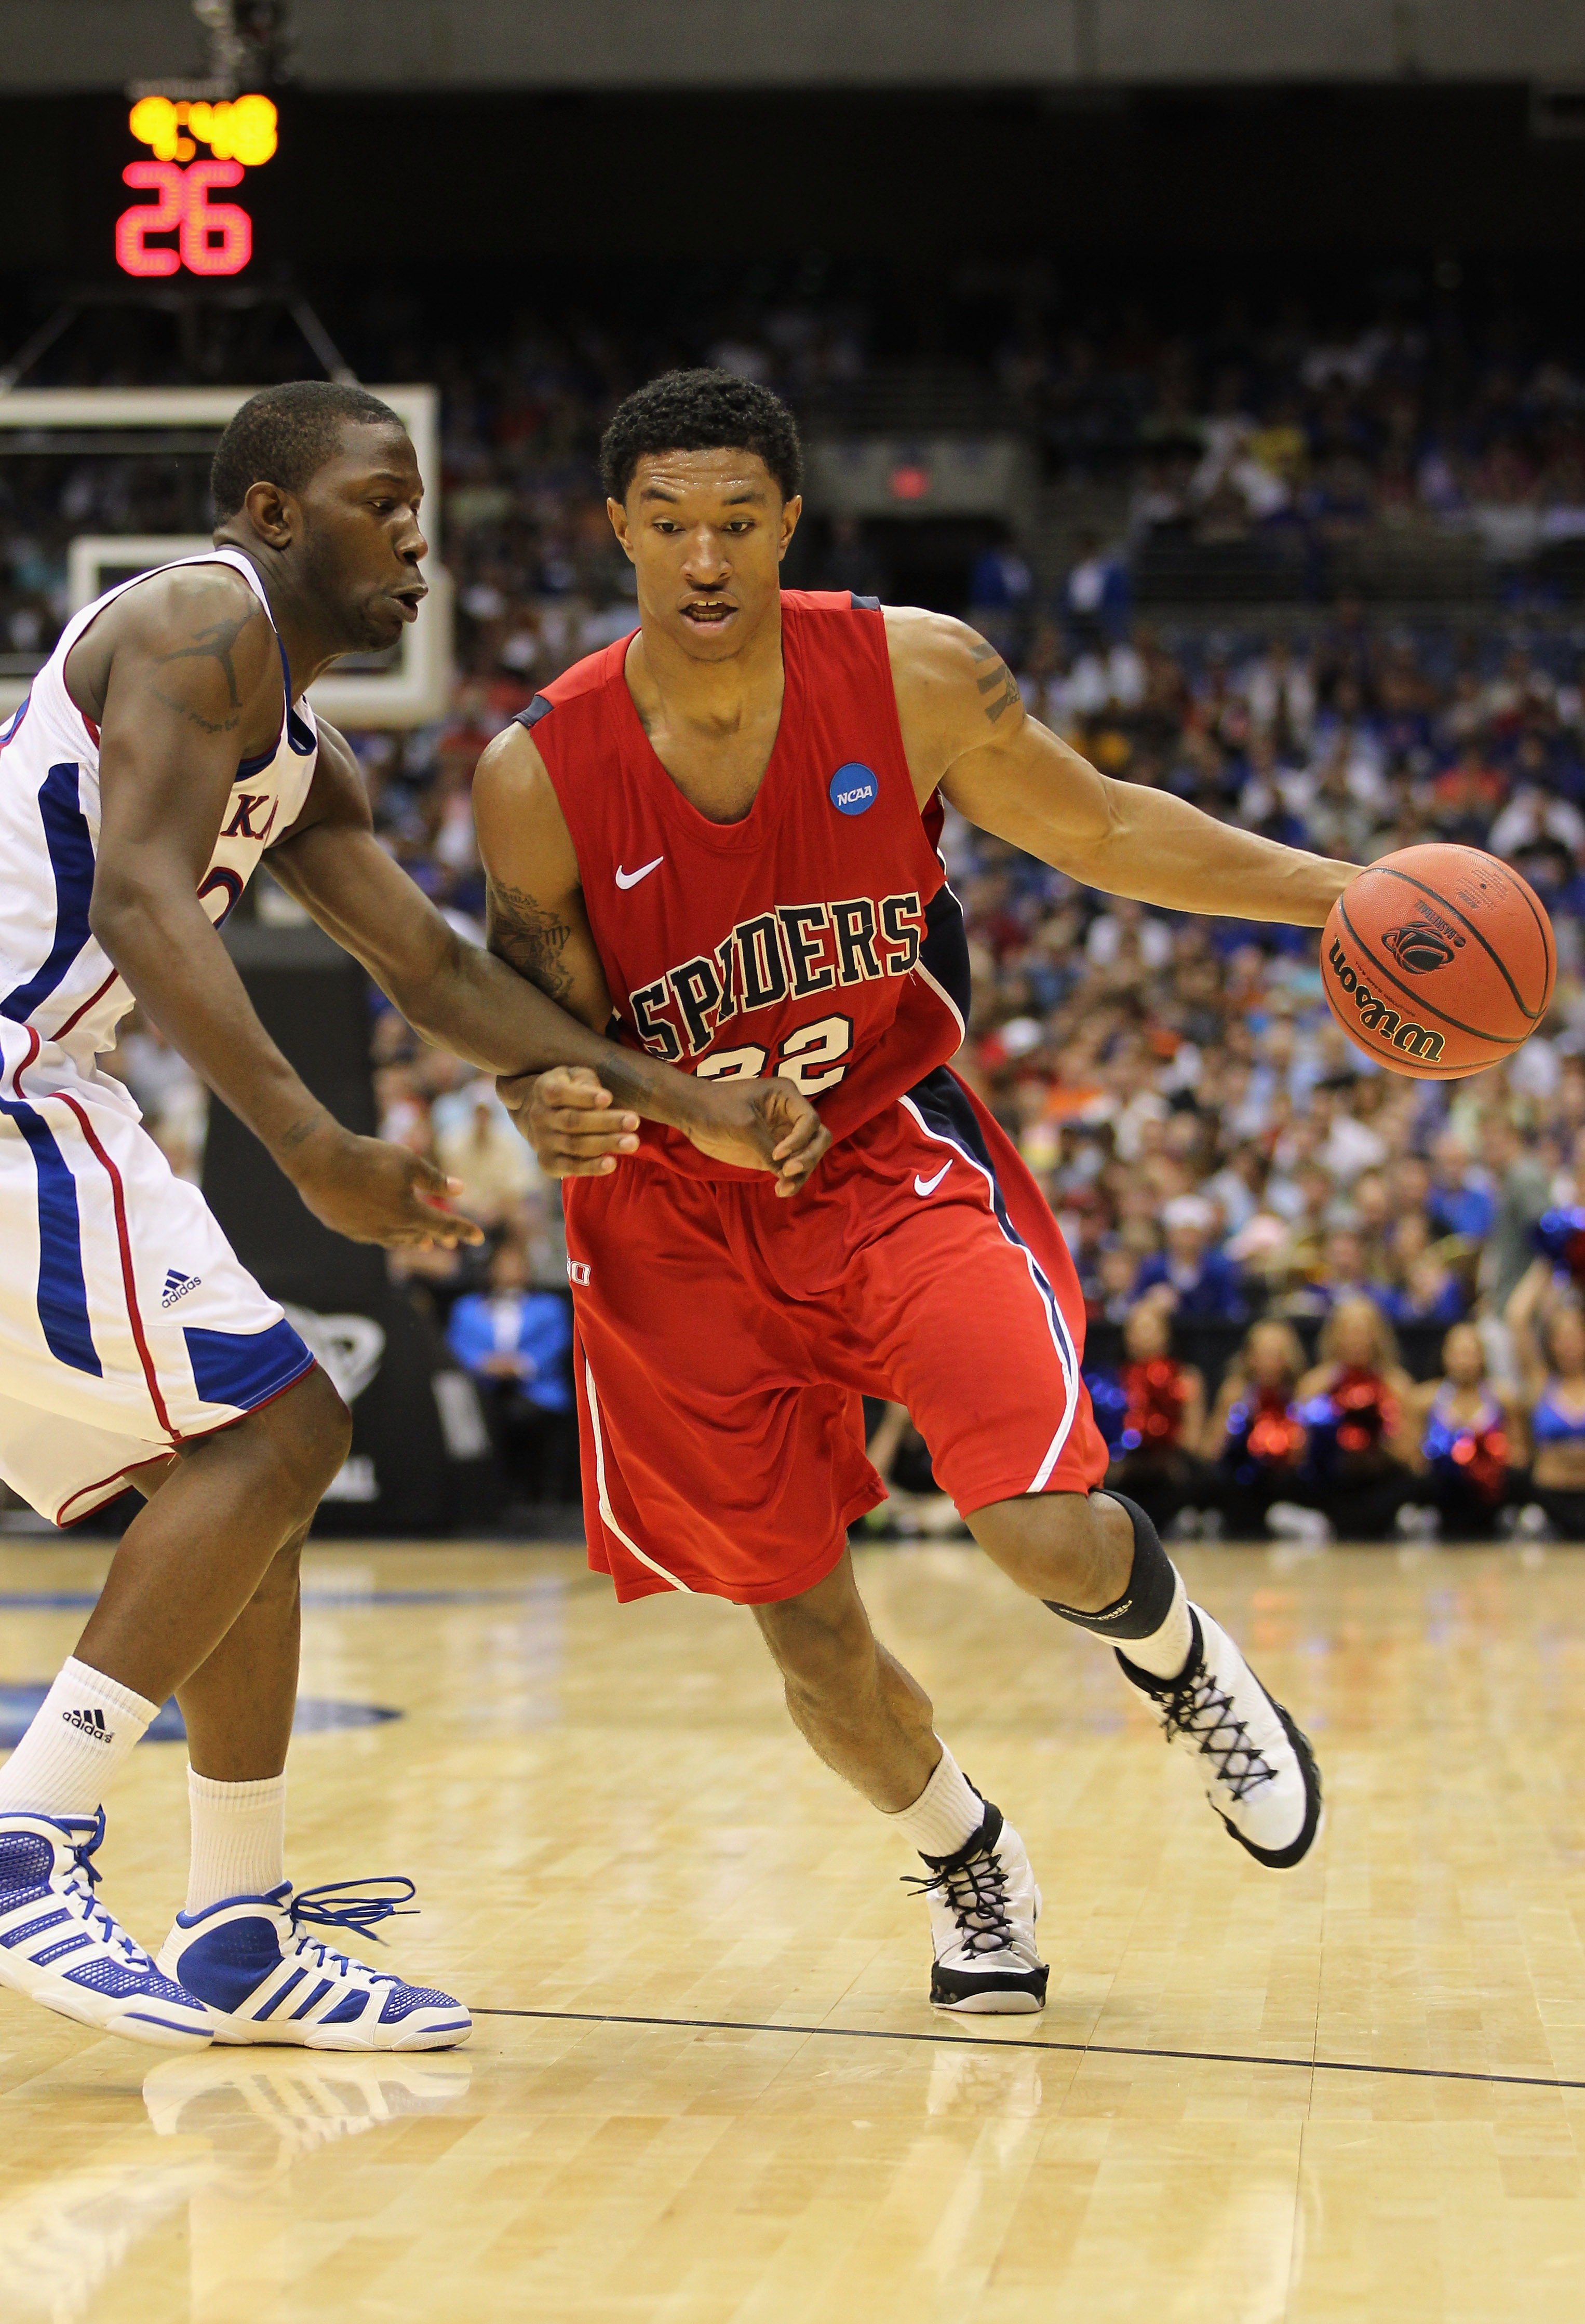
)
(705, 533)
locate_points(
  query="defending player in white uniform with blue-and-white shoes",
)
(162, 752)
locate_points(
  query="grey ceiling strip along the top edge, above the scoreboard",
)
(85, 45)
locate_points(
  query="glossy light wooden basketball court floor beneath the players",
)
(705, 2086)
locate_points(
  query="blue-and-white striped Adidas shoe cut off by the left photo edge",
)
(66, 1951)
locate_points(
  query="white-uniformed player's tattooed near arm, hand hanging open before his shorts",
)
(185, 680)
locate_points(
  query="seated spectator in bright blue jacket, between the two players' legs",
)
(517, 1347)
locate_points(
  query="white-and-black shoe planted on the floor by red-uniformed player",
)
(982, 1923)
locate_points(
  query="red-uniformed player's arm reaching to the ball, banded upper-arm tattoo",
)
(966, 729)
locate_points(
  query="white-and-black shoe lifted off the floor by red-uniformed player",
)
(1256, 1767)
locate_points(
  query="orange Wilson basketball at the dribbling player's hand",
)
(1437, 961)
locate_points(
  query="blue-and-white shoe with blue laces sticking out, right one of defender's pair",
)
(266, 1979)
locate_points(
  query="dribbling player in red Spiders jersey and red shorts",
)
(724, 831)
